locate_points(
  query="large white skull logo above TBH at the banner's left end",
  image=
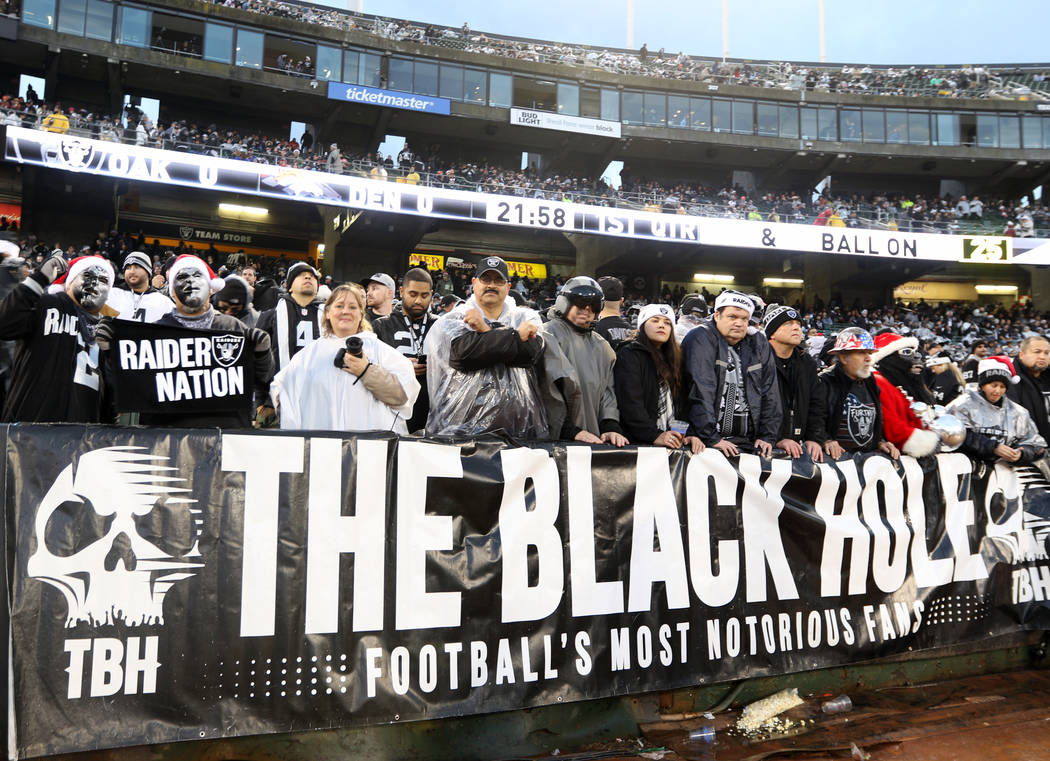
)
(120, 574)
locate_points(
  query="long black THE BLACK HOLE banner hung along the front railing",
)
(177, 585)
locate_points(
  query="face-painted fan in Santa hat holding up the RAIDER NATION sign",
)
(192, 284)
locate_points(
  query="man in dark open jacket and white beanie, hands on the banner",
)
(732, 391)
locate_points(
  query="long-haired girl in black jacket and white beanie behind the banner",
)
(648, 379)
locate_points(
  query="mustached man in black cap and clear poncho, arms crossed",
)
(482, 360)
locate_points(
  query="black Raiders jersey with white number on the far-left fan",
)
(56, 374)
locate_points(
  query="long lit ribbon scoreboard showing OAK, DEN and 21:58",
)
(116, 160)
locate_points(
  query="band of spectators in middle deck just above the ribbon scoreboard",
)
(890, 212)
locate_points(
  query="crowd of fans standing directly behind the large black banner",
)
(584, 365)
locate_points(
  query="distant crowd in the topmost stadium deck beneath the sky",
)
(972, 81)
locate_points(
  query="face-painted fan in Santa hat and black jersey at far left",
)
(53, 315)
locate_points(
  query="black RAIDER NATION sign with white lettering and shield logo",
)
(178, 371)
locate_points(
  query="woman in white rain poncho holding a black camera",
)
(374, 392)
